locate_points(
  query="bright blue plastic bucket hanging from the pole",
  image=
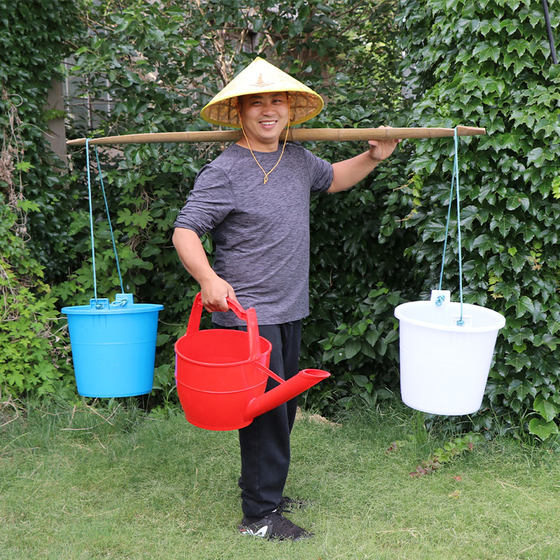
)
(113, 346)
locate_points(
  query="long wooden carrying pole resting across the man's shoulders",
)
(296, 134)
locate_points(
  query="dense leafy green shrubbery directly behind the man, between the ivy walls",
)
(162, 64)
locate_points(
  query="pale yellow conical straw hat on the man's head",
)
(262, 77)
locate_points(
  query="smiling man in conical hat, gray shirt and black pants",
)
(254, 199)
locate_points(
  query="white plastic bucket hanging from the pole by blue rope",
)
(444, 367)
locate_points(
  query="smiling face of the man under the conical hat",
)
(264, 116)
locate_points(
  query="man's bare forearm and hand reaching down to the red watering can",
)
(213, 289)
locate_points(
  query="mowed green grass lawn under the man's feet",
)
(88, 483)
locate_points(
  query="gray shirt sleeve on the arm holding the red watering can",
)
(209, 202)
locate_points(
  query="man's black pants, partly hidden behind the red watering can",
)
(265, 443)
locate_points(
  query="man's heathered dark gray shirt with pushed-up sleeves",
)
(260, 231)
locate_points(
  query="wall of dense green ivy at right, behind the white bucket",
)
(489, 64)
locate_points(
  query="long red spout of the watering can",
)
(284, 391)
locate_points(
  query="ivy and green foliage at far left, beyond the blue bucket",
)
(34, 38)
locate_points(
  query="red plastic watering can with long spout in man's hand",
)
(222, 374)
